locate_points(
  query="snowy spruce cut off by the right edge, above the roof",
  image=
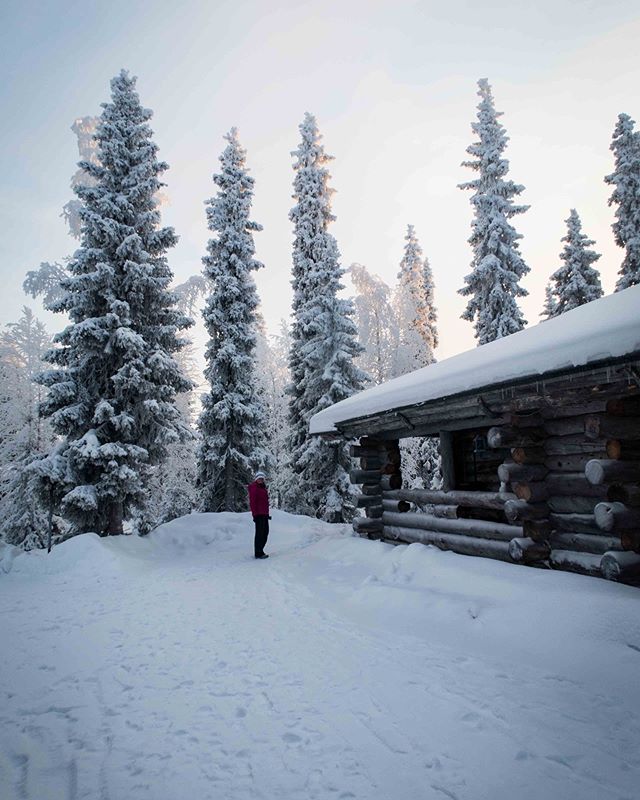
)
(626, 196)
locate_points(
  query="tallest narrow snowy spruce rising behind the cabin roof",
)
(497, 264)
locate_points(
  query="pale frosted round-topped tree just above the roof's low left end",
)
(376, 323)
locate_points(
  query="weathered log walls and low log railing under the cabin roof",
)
(566, 493)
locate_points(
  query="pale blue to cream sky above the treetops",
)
(393, 86)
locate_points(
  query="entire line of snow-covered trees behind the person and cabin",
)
(98, 425)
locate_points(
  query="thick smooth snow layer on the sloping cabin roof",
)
(604, 329)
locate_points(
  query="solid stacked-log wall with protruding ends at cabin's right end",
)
(585, 458)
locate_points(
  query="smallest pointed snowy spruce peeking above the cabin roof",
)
(576, 282)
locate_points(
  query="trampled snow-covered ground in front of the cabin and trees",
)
(178, 666)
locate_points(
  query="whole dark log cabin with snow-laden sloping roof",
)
(539, 440)
